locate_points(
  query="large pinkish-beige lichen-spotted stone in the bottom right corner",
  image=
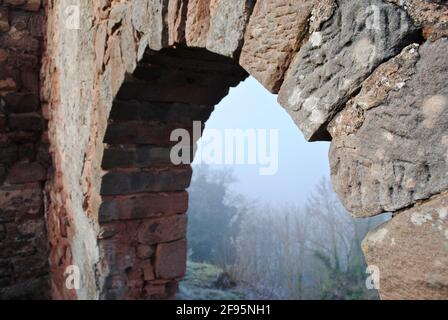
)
(411, 252)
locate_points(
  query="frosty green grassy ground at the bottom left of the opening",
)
(199, 284)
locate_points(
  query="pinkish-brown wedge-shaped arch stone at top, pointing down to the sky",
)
(273, 35)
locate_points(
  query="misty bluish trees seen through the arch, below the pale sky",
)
(285, 251)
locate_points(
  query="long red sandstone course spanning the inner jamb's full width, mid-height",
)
(143, 206)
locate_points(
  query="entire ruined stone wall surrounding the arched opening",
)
(118, 76)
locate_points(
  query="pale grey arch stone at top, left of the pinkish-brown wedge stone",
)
(227, 26)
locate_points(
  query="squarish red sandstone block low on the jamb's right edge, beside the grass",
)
(171, 260)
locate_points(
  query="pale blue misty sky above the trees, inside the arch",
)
(300, 164)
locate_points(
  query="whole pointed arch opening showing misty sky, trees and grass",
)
(278, 236)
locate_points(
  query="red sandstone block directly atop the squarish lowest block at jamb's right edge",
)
(164, 229)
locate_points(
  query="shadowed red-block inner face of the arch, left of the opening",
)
(144, 201)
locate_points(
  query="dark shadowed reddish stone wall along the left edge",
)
(24, 156)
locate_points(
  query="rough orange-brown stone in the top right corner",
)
(431, 15)
